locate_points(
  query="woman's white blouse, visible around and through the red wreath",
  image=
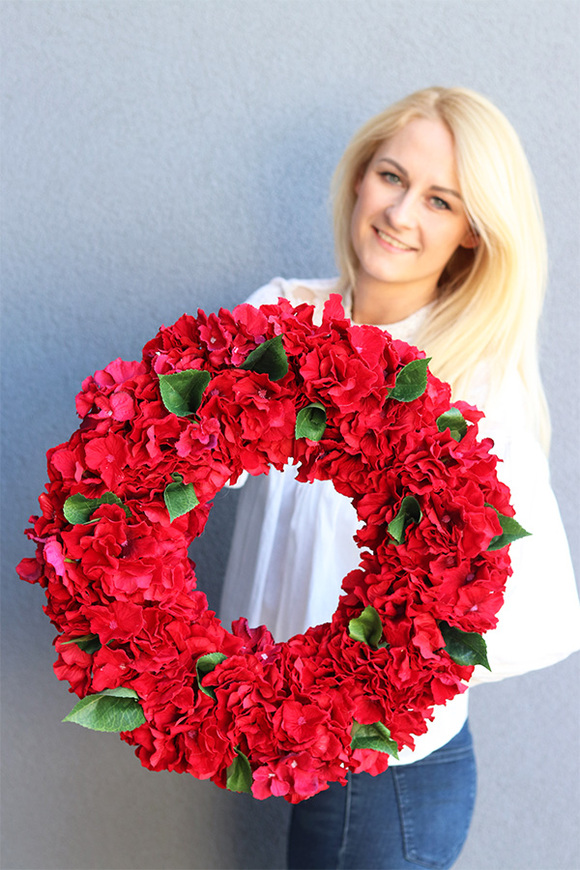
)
(293, 543)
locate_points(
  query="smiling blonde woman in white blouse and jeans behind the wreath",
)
(439, 240)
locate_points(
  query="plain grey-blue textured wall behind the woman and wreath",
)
(160, 156)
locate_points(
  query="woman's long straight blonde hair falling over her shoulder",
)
(490, 297)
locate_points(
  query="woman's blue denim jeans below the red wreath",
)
(415, 815)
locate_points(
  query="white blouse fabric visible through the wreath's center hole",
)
(287, 535)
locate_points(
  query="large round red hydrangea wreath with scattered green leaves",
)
(253, 389)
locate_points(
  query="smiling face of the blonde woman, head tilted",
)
(409, 217)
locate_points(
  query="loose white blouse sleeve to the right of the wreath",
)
(539, 623)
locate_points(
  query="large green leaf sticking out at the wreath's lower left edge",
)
(110, 710)
